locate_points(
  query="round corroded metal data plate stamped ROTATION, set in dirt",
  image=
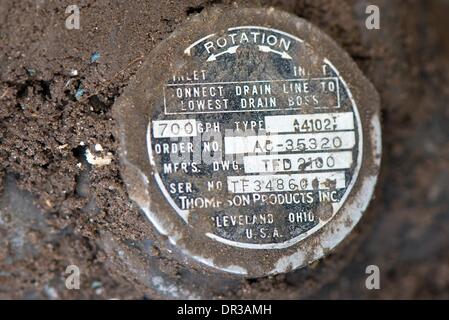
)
(250, 140)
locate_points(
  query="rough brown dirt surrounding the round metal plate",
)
(57, 210)
